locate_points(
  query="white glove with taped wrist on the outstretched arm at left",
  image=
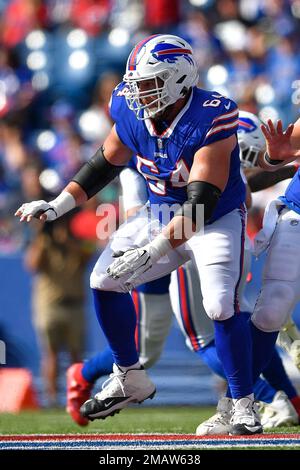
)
(46, 211)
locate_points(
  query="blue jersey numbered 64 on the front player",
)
(165, 159)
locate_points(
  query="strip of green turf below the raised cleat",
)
(133, 420)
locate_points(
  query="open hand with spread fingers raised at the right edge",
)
(278, 141)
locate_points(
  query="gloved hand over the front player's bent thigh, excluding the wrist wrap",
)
(134, 261)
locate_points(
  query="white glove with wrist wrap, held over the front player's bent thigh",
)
(138, 260)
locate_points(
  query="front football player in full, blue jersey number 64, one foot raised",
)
(185, 141)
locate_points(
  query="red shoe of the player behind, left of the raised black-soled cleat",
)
(78, 391)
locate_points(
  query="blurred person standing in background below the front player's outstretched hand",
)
(58, 261)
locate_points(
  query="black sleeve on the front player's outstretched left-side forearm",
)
(96, 174)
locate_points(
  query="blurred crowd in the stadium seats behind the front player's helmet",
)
(60, 59)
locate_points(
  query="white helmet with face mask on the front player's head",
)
(169, 61)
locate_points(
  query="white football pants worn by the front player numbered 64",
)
(217, 255)
